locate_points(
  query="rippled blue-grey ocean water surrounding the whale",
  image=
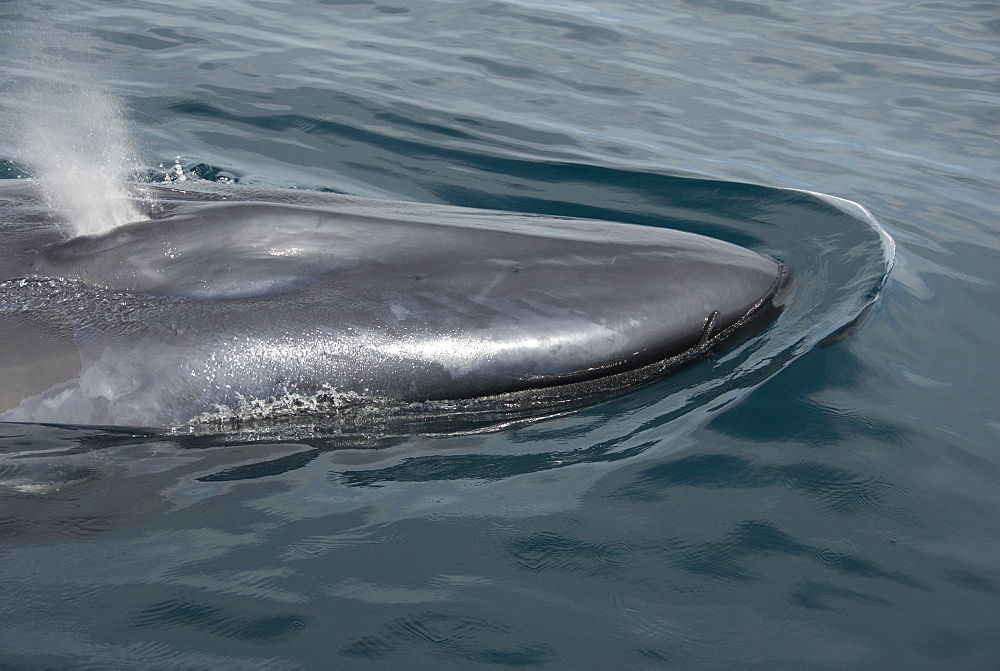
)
(823, 495)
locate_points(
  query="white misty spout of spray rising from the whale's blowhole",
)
(70, 130)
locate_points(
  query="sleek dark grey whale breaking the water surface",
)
(225, 306)
